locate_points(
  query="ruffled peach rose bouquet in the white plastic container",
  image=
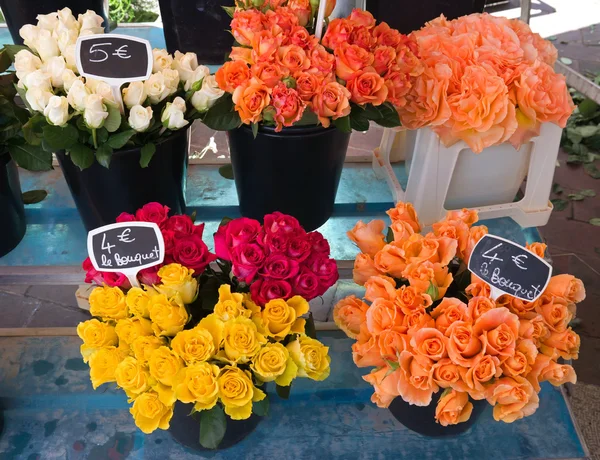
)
(484, 80)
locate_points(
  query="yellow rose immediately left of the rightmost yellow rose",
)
(273, 362)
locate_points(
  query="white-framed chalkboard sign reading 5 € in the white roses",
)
(114, 58)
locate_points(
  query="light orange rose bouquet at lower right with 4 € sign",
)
(427, 325)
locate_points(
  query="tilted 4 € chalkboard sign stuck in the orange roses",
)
(509, 268)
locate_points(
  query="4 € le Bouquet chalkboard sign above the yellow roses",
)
(126, 248)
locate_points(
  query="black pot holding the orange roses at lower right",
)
(422, 419)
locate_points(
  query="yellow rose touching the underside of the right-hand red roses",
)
(279, 317)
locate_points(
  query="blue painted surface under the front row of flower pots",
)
(51, 412)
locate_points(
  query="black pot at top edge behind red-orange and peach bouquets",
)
(408, 16)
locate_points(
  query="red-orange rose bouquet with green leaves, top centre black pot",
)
(281, 74)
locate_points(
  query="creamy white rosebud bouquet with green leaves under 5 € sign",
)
(81, 116)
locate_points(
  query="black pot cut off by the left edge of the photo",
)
(12, 212)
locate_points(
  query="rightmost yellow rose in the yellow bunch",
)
(311, 357)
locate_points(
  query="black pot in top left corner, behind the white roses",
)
(21, 12)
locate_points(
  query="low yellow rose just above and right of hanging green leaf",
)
(237, 392)
